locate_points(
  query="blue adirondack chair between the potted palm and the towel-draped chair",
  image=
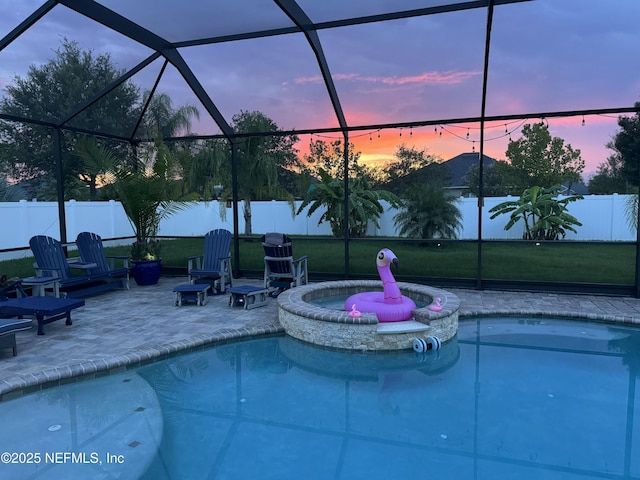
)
(214, 266)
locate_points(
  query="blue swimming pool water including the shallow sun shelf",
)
(520, 398)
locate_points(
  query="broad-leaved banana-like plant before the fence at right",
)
(545, 216)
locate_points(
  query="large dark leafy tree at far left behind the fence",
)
(50, 92)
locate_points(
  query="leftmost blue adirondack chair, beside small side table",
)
(51, 261)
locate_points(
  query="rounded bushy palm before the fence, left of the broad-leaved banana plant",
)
(429, 212)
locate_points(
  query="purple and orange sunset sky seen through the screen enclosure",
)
(546, 56)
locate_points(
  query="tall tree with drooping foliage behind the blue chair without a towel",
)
(261, 160)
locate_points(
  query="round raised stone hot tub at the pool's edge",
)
(304, 320)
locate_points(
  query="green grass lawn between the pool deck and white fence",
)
(594, 262)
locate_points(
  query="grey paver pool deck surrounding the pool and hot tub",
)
(122, 329)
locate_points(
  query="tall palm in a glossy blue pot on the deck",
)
(149, 192)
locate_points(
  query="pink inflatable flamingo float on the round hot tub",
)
(389, 305)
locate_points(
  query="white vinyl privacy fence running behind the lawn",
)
(602, 216)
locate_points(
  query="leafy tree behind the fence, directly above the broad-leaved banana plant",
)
(539, 159)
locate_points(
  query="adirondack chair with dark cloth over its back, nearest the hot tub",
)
(281, 270)
